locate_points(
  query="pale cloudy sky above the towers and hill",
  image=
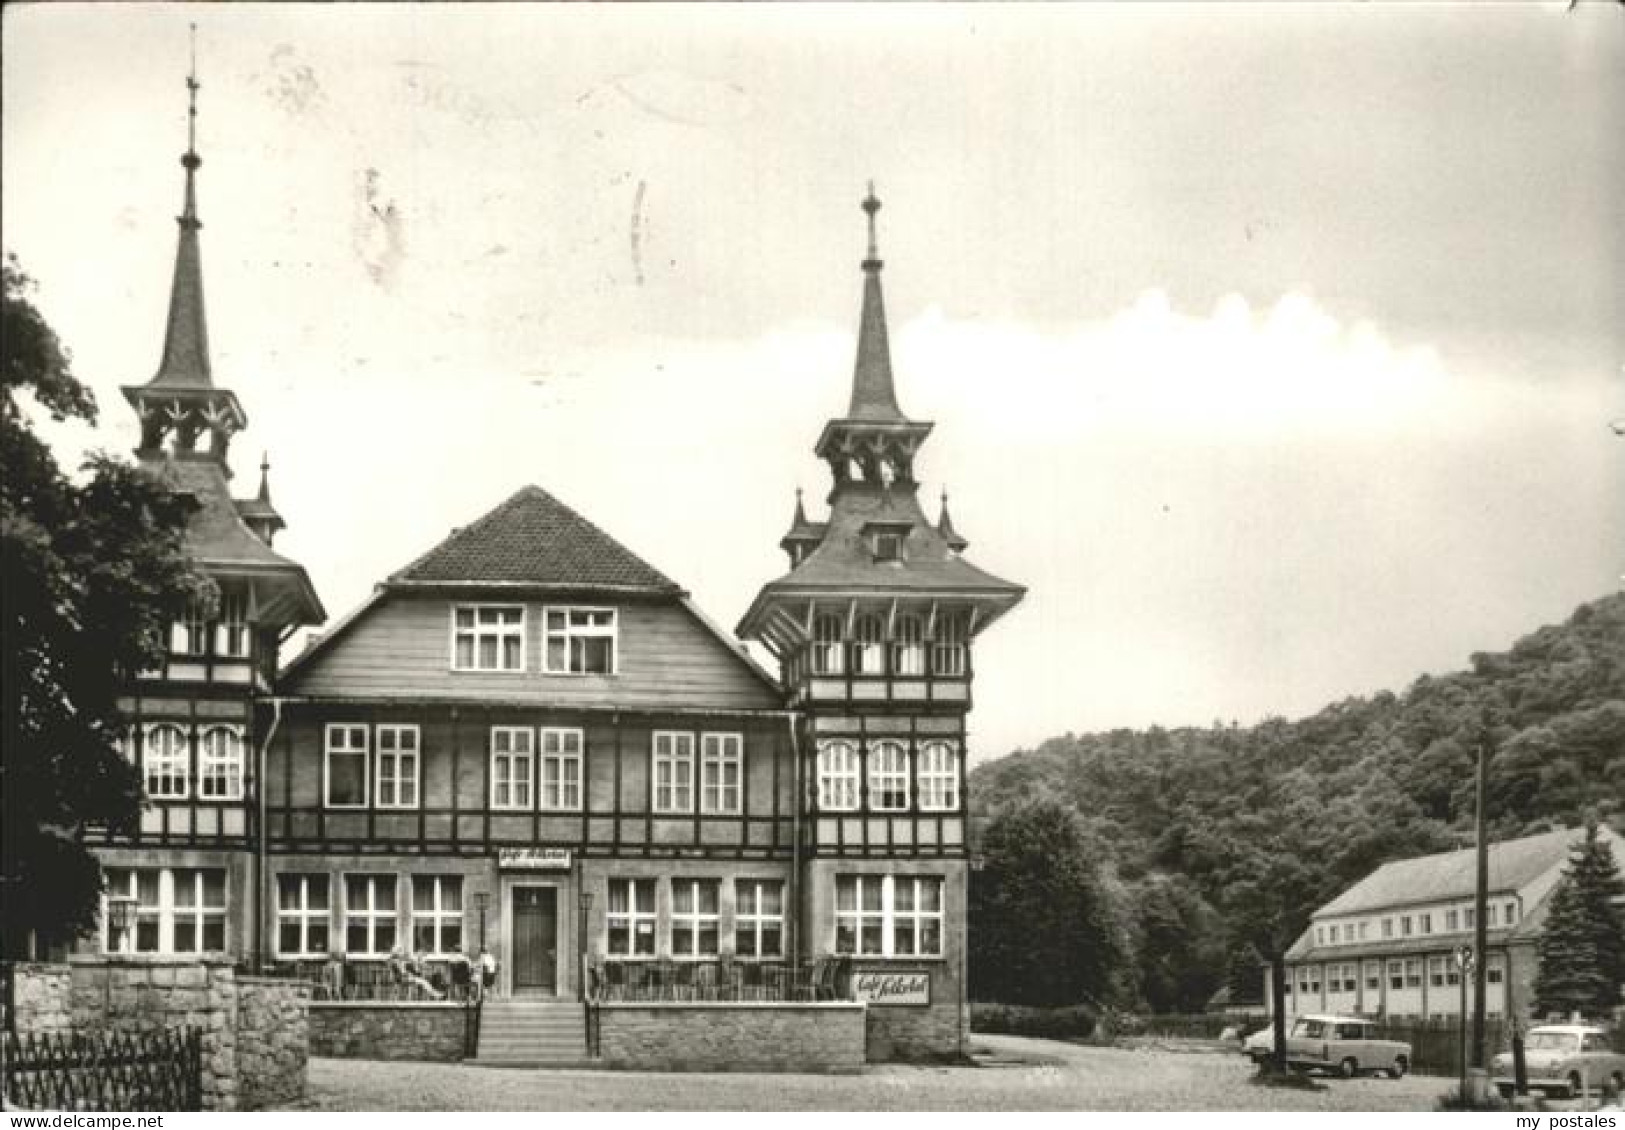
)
(1275, 349)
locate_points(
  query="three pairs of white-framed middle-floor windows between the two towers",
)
(534, 770)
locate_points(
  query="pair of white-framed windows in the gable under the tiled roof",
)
(574, 641)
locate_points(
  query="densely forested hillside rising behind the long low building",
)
(1384, 776)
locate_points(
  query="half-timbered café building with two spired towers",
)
(531, 742)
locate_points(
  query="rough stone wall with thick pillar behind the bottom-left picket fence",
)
(254, 1028)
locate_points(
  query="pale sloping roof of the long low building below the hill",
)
(1452, 876)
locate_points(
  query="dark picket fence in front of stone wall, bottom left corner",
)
(103, 1071)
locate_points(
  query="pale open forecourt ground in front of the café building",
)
(1033, 1076)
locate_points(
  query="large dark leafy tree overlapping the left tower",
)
(93, 572)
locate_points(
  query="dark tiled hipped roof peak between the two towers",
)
(534, 539)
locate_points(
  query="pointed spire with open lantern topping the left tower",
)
(181, 399)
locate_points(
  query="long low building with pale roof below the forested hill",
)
(1387, 947)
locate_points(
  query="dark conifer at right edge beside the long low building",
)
(1584, 945)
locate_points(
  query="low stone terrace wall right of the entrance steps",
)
(732, 1037)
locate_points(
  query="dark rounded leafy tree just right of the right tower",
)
(1042, 929)
